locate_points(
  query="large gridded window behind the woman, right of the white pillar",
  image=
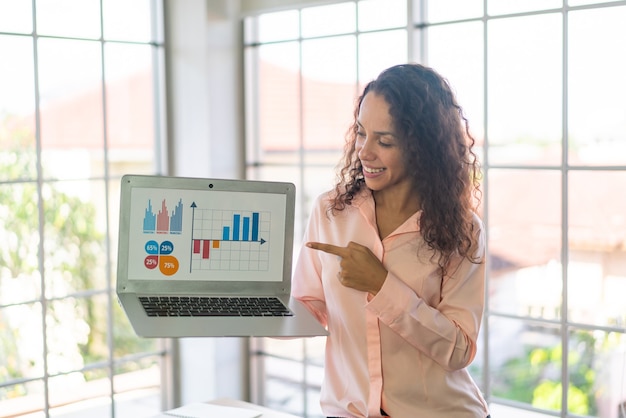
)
(544, 95)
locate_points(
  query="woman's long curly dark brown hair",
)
(437, 150)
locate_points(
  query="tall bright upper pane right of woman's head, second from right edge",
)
(525, 90)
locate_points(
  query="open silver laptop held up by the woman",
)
(208, 258)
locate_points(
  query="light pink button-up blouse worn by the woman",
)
(406, 349)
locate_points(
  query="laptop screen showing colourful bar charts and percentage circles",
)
(205, 235)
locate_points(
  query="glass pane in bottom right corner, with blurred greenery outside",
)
(596, 369)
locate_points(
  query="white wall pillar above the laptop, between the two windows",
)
(205, 106)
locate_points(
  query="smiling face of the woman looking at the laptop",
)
(378, 147)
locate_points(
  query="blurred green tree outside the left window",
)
(74, 266)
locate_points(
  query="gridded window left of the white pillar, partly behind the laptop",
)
(80, 106)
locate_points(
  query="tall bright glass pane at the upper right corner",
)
(597, 121)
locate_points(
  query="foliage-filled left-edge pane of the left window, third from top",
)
(20, 280)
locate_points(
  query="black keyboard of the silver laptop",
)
(213, 306)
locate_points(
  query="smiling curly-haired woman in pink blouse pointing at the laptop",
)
(393, 261)
